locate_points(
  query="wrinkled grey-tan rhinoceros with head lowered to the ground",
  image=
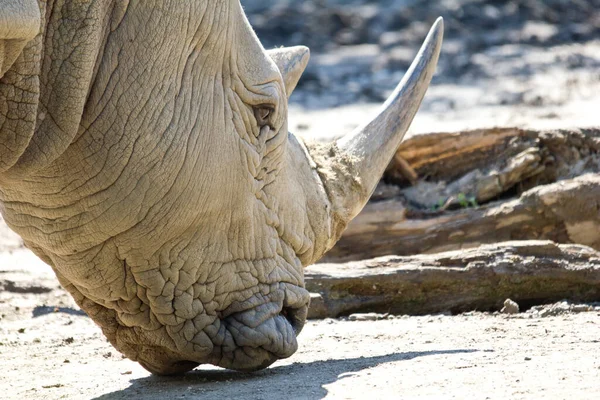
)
(145, 156)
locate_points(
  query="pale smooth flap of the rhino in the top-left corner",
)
(20, 22)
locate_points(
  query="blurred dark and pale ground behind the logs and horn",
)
(504, 63)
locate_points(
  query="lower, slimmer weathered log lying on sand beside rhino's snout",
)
(529, 272)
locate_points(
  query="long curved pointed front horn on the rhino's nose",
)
(366, 152)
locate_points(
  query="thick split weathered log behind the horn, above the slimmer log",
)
(480, 187)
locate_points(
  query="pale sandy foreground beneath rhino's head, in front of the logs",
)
(51, 350)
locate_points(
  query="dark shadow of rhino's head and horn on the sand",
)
(294, 381)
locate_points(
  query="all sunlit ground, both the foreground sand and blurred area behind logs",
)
(520, 62)
